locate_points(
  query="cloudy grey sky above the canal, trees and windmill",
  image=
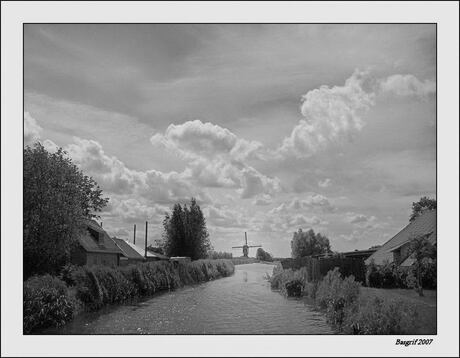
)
(272, 128)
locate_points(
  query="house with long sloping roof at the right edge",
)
(397, 248)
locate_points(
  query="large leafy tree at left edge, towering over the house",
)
(58, 197)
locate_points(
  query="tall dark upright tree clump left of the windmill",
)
(185, 232)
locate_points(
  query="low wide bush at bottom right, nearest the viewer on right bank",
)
(378, 316)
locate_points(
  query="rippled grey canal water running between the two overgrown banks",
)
(240, 304)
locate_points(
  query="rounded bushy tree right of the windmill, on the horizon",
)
(307, 243)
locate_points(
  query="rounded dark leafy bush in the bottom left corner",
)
(46, 303)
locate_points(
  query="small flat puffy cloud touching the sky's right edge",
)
(407, 85)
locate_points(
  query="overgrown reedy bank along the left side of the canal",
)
(52, 301)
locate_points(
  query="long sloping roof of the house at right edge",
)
(423, 225)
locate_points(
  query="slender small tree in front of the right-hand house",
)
(422, 250)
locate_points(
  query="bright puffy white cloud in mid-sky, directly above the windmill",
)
(217, 157)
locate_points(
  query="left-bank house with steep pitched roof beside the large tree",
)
(96, 247)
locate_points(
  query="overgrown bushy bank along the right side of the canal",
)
(351, 308)
